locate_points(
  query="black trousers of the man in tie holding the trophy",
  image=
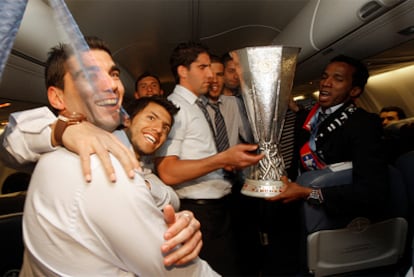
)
(219, 248)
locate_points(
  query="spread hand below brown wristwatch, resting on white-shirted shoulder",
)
(86, 139)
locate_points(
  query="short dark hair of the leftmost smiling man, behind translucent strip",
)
(55, 64)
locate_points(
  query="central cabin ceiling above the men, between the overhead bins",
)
(142, 33)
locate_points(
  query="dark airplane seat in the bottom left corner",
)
(11, 244)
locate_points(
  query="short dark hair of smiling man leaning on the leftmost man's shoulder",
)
(137, 105)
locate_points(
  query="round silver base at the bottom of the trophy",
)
(261, 188)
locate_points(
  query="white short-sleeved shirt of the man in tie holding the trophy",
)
(191, 139)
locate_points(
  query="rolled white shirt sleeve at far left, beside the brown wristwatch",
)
(26, 137)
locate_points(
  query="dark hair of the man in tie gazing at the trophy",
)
(185, 54)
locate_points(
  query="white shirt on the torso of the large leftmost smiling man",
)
(74, 228)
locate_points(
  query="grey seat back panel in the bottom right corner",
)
(359, 246)
